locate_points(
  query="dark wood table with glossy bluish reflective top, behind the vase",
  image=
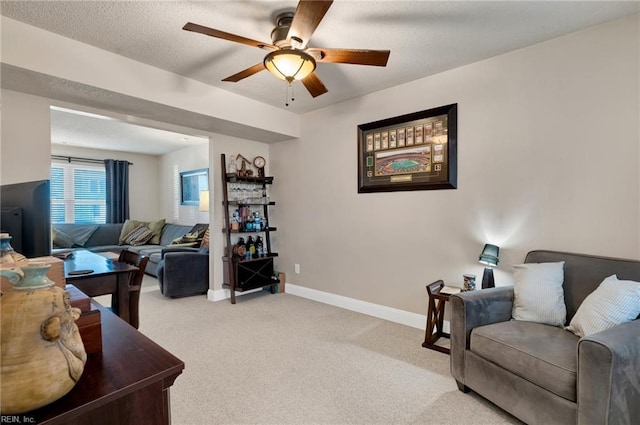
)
(107, 277)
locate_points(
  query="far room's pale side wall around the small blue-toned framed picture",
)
(171, 165)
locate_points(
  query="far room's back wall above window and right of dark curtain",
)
(143, 178)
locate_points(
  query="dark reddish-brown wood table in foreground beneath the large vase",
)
(127, 383)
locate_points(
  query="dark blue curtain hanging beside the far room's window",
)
(117, 176)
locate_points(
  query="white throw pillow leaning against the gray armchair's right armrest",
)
(612, 303)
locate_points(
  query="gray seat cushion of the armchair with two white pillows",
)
(542, 354)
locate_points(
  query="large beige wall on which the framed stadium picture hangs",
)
(548, 158)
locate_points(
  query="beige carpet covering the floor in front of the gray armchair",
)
(281, 359)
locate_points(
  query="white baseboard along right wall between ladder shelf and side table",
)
(414, 320)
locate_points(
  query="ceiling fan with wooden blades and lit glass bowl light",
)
(290, 58)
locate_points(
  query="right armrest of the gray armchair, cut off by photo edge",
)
(609, 376)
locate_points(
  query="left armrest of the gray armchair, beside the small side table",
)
(470, 310)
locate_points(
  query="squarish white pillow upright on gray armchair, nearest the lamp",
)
(538, 294)
